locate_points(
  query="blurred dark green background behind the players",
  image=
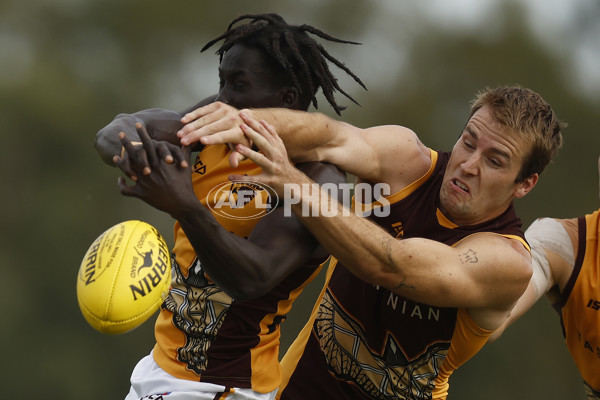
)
(68, 66)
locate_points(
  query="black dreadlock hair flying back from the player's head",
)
(294, 50)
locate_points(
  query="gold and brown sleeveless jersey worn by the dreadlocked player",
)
(203, 334)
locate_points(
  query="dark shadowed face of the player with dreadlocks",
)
(247, 78)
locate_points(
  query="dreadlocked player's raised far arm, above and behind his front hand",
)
(161, 124)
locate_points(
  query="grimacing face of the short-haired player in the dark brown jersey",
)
(479, 182)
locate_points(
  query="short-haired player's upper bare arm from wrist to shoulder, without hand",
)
(389, 153)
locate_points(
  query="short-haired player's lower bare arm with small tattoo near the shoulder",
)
(483, 271)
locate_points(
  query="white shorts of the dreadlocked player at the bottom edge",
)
(150, 382)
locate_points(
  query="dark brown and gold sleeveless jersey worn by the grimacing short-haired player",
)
(366, 342)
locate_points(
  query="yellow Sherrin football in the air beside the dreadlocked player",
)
(124, 277)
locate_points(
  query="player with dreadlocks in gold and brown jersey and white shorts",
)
(238, 265)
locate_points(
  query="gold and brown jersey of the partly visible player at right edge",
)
(580, 305)
